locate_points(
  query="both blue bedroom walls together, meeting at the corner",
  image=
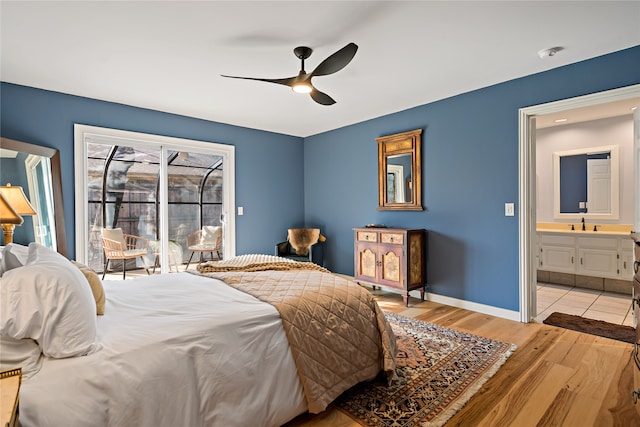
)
(470, 169)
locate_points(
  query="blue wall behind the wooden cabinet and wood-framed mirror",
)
(470, 170)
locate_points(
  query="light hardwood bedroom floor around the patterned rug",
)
(556, 377)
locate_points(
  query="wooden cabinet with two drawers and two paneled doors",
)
(392, 257)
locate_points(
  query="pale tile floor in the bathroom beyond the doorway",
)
(608, 306)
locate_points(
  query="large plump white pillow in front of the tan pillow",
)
(48, 300)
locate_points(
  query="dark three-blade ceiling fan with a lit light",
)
(302, 82)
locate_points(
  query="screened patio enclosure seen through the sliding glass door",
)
(123, 191)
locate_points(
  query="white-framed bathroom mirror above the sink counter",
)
(586, 183)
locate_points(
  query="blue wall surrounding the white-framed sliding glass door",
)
(265, 161)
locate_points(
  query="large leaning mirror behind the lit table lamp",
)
(37, 170)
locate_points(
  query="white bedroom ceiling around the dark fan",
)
(168, 56)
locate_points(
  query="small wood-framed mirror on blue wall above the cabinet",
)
(399, 171)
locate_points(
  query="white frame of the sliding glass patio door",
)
(82, 133)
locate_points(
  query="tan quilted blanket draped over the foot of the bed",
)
(337, 333)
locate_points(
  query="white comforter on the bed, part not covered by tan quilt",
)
(176, 350)
